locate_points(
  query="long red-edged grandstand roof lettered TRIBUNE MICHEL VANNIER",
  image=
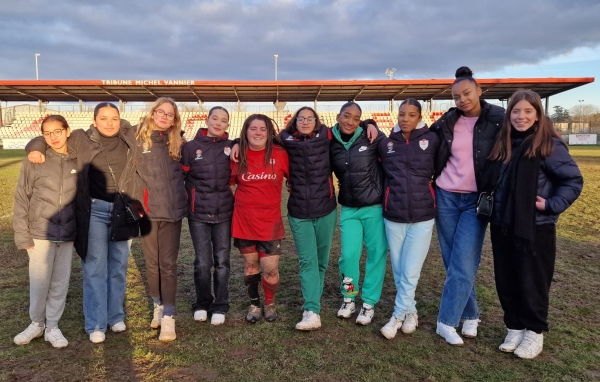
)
(269, 91)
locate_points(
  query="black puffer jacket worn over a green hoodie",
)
(358, 170)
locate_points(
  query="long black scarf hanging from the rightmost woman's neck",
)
(520, 192)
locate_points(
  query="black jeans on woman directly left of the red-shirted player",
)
(212, 245)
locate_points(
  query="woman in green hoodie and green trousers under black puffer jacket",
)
(354, 161)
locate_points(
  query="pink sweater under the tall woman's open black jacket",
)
(459, 173)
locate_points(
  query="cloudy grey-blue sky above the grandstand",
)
(315, 40)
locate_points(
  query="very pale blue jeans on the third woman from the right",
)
(409, 244)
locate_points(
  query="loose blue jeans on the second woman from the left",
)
(104, 271)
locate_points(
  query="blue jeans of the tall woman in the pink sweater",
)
(461, 236)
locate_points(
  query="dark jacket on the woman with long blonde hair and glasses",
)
(160, 180)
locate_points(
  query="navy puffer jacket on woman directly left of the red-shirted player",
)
(206, 165)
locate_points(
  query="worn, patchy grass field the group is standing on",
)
(341, 350)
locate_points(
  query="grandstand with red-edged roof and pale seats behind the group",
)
(25, 124)
